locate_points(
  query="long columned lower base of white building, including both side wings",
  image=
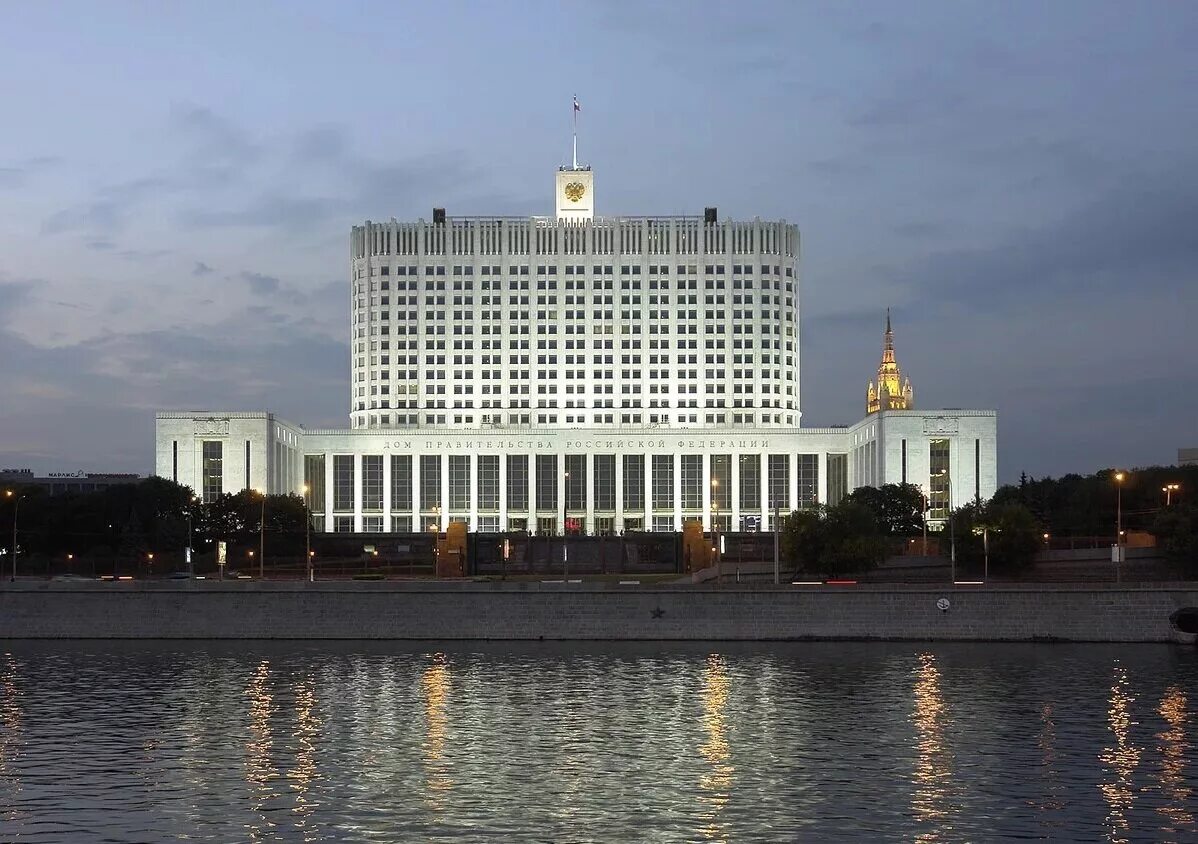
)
(391, 481)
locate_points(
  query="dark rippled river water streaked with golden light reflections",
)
(596, 743)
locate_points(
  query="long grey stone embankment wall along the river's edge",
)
(582, 611)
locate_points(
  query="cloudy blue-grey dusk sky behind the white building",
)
(1017, 181)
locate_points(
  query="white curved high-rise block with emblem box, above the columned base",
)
(576, 320)
